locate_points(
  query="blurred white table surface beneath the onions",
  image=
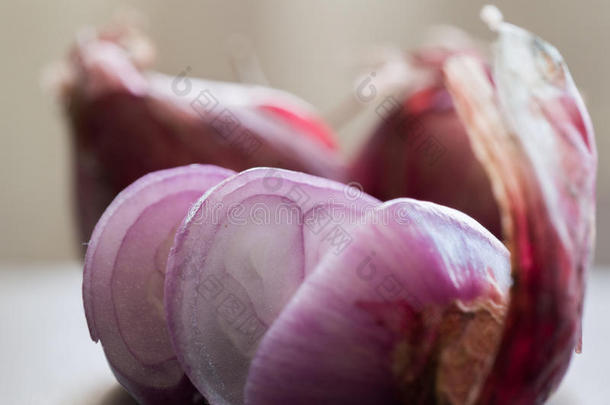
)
(47, 357)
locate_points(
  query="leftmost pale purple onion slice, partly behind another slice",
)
(124, 278)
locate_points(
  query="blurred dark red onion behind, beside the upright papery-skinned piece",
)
(420, 148)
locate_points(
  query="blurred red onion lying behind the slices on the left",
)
(127, 121)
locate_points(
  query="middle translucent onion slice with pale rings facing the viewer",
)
(243, 252)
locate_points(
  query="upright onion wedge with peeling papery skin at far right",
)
(534, 136)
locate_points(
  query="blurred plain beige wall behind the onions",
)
(304, 48)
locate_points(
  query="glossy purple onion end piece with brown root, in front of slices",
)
(363, 328)
